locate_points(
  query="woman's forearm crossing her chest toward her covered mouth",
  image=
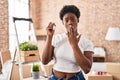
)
(81, 59)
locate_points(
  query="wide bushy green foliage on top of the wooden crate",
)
(26, 46)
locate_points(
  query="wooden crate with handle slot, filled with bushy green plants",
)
(29, 52)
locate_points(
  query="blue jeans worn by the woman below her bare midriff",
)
(77, 76)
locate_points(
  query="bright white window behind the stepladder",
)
(20, 9)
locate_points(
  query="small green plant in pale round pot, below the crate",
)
(35, 71)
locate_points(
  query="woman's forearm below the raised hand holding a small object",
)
(47, 52)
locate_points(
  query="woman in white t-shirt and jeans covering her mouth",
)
(72, 51)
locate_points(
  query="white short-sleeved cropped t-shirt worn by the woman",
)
(63, 53)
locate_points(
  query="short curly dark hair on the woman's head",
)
(69, 8)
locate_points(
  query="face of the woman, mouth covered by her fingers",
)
(70, 20)
